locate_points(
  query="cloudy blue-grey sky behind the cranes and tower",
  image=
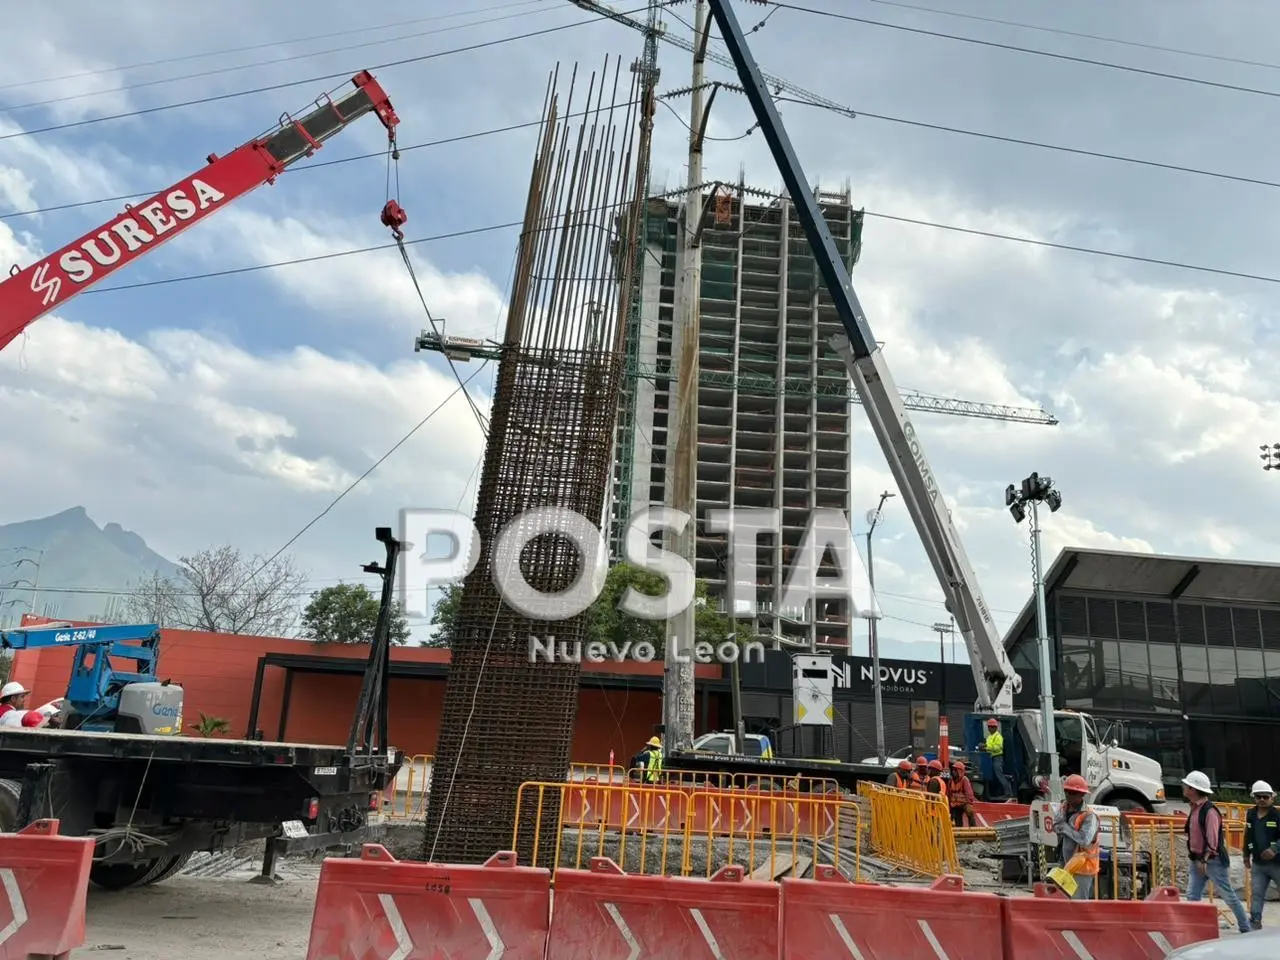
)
(203, 396)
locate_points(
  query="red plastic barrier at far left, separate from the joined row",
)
(45, 881)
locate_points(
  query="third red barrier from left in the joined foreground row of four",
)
(831, 917)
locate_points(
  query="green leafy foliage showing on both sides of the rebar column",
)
(605, 621)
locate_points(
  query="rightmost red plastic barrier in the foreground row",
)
(1050, 926)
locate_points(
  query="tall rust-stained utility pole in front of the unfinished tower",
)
(678, 702)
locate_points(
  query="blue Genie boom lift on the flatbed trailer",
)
(100, 698)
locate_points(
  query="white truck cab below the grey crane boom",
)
(1119, 778)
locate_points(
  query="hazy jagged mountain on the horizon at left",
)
(81, 565)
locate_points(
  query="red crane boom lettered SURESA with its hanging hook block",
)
(28, 295)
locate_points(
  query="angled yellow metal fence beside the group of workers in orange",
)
(912, 830)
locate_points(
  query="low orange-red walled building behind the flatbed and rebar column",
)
(303, 692)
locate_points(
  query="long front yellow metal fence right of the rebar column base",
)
(664, 831)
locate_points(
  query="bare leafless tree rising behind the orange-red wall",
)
(222, 592)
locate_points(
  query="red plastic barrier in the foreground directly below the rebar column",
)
(378, 907)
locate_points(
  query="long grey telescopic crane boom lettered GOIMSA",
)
(995, 676)
